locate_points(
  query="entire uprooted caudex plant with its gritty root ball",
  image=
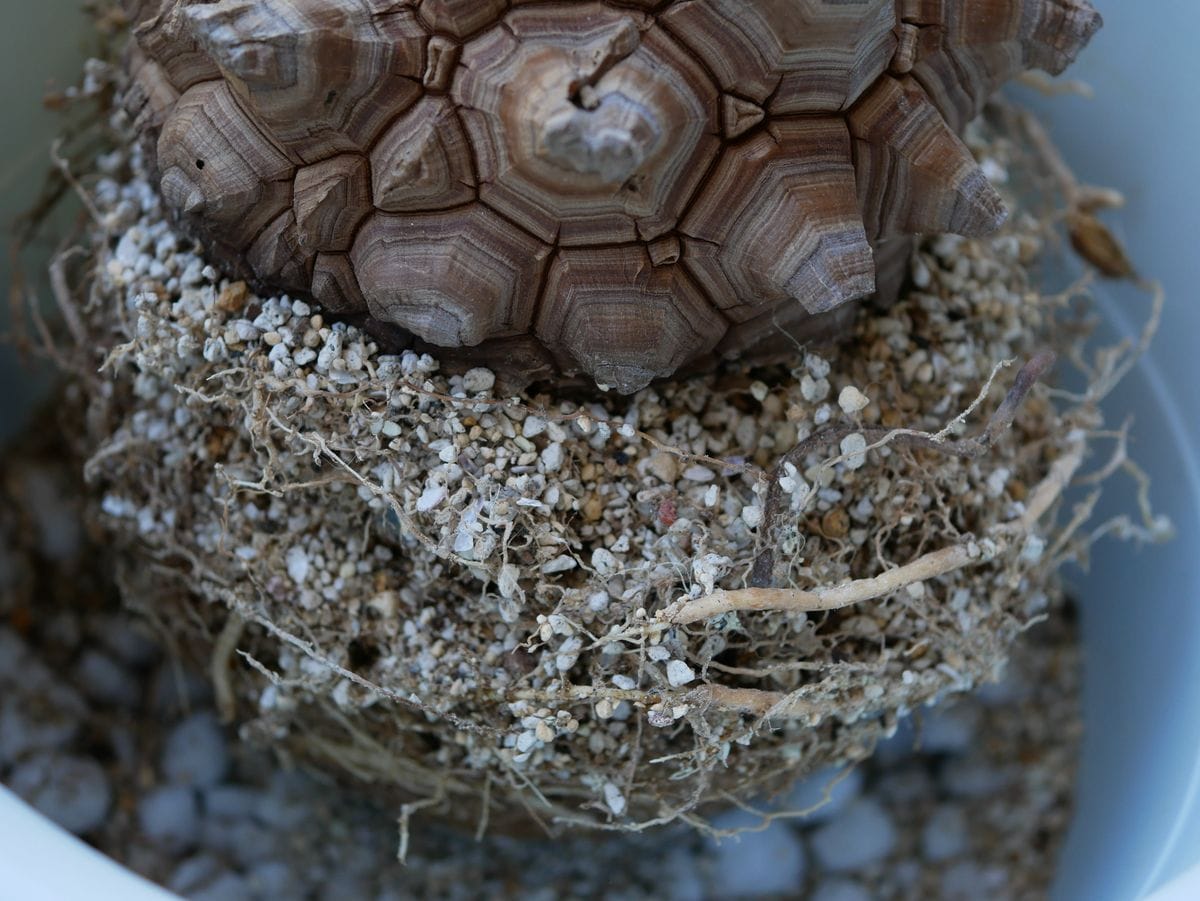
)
(419, 556)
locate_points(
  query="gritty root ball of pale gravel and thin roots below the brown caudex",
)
(555, 609)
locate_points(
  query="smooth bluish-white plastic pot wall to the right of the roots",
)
(1138, 813)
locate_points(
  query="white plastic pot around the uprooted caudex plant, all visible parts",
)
(1137, 827)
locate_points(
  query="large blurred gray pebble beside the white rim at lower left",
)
(73, 791)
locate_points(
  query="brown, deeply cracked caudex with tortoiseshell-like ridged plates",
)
(613, 189)
